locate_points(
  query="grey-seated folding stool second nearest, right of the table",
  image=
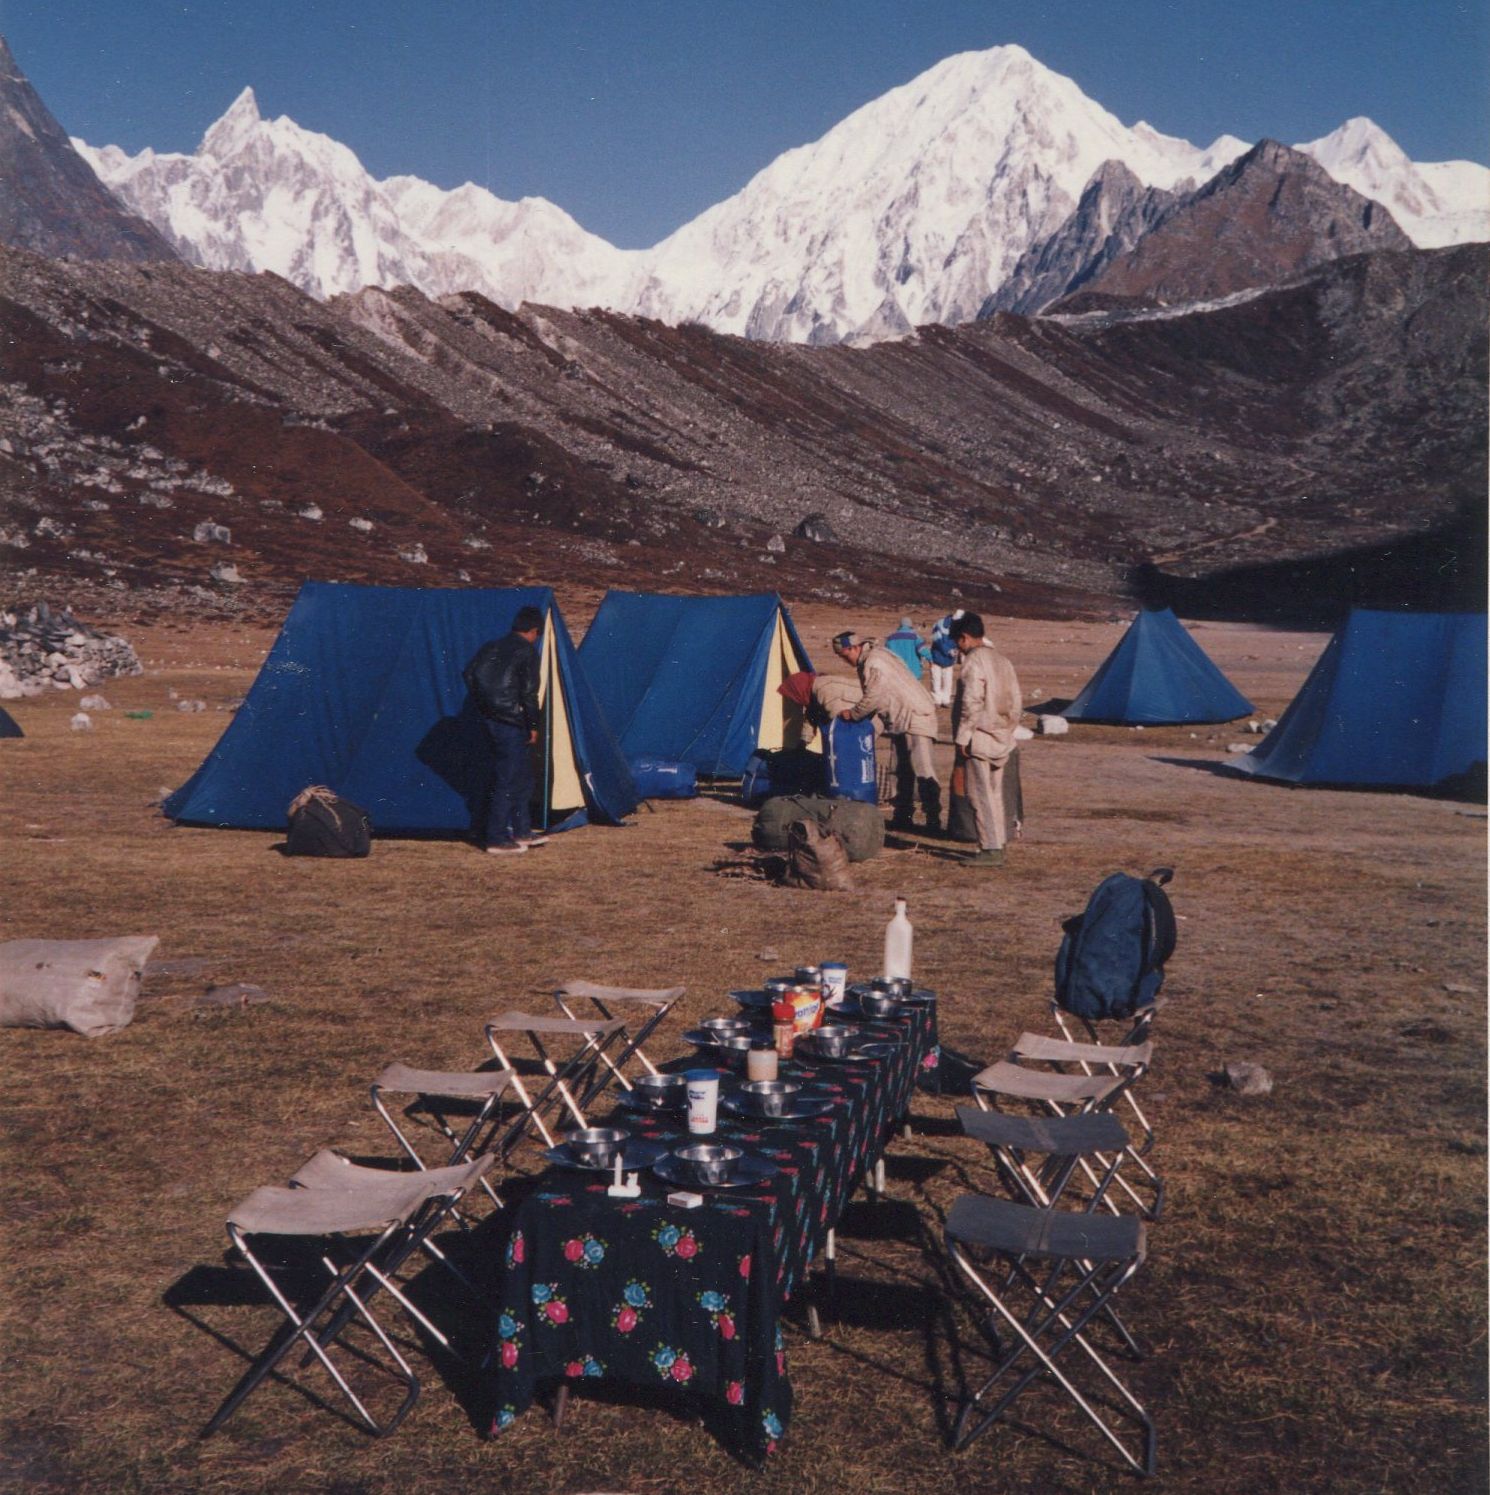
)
(1065, 1143)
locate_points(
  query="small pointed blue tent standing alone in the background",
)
(1157, 675)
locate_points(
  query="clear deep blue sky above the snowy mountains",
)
(637, 114)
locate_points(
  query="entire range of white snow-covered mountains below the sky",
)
(915, 209)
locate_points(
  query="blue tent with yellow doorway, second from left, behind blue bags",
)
(694, 678)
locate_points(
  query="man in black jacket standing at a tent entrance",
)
(503, 679)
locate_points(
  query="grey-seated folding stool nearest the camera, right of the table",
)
(1066, 1269)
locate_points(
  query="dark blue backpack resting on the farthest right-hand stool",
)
(1111, 962)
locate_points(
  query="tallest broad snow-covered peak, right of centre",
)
(911, 210)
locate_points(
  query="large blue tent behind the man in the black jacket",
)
(362, 693)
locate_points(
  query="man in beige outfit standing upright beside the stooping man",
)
(984, 718)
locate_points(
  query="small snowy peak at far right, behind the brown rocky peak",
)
(1435, 203)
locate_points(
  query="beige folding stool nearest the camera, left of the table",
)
(397, 1215)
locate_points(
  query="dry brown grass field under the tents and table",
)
(1316, 1291)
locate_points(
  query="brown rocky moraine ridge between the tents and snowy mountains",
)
(217, 436)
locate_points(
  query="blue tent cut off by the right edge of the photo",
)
(1397, 699)
